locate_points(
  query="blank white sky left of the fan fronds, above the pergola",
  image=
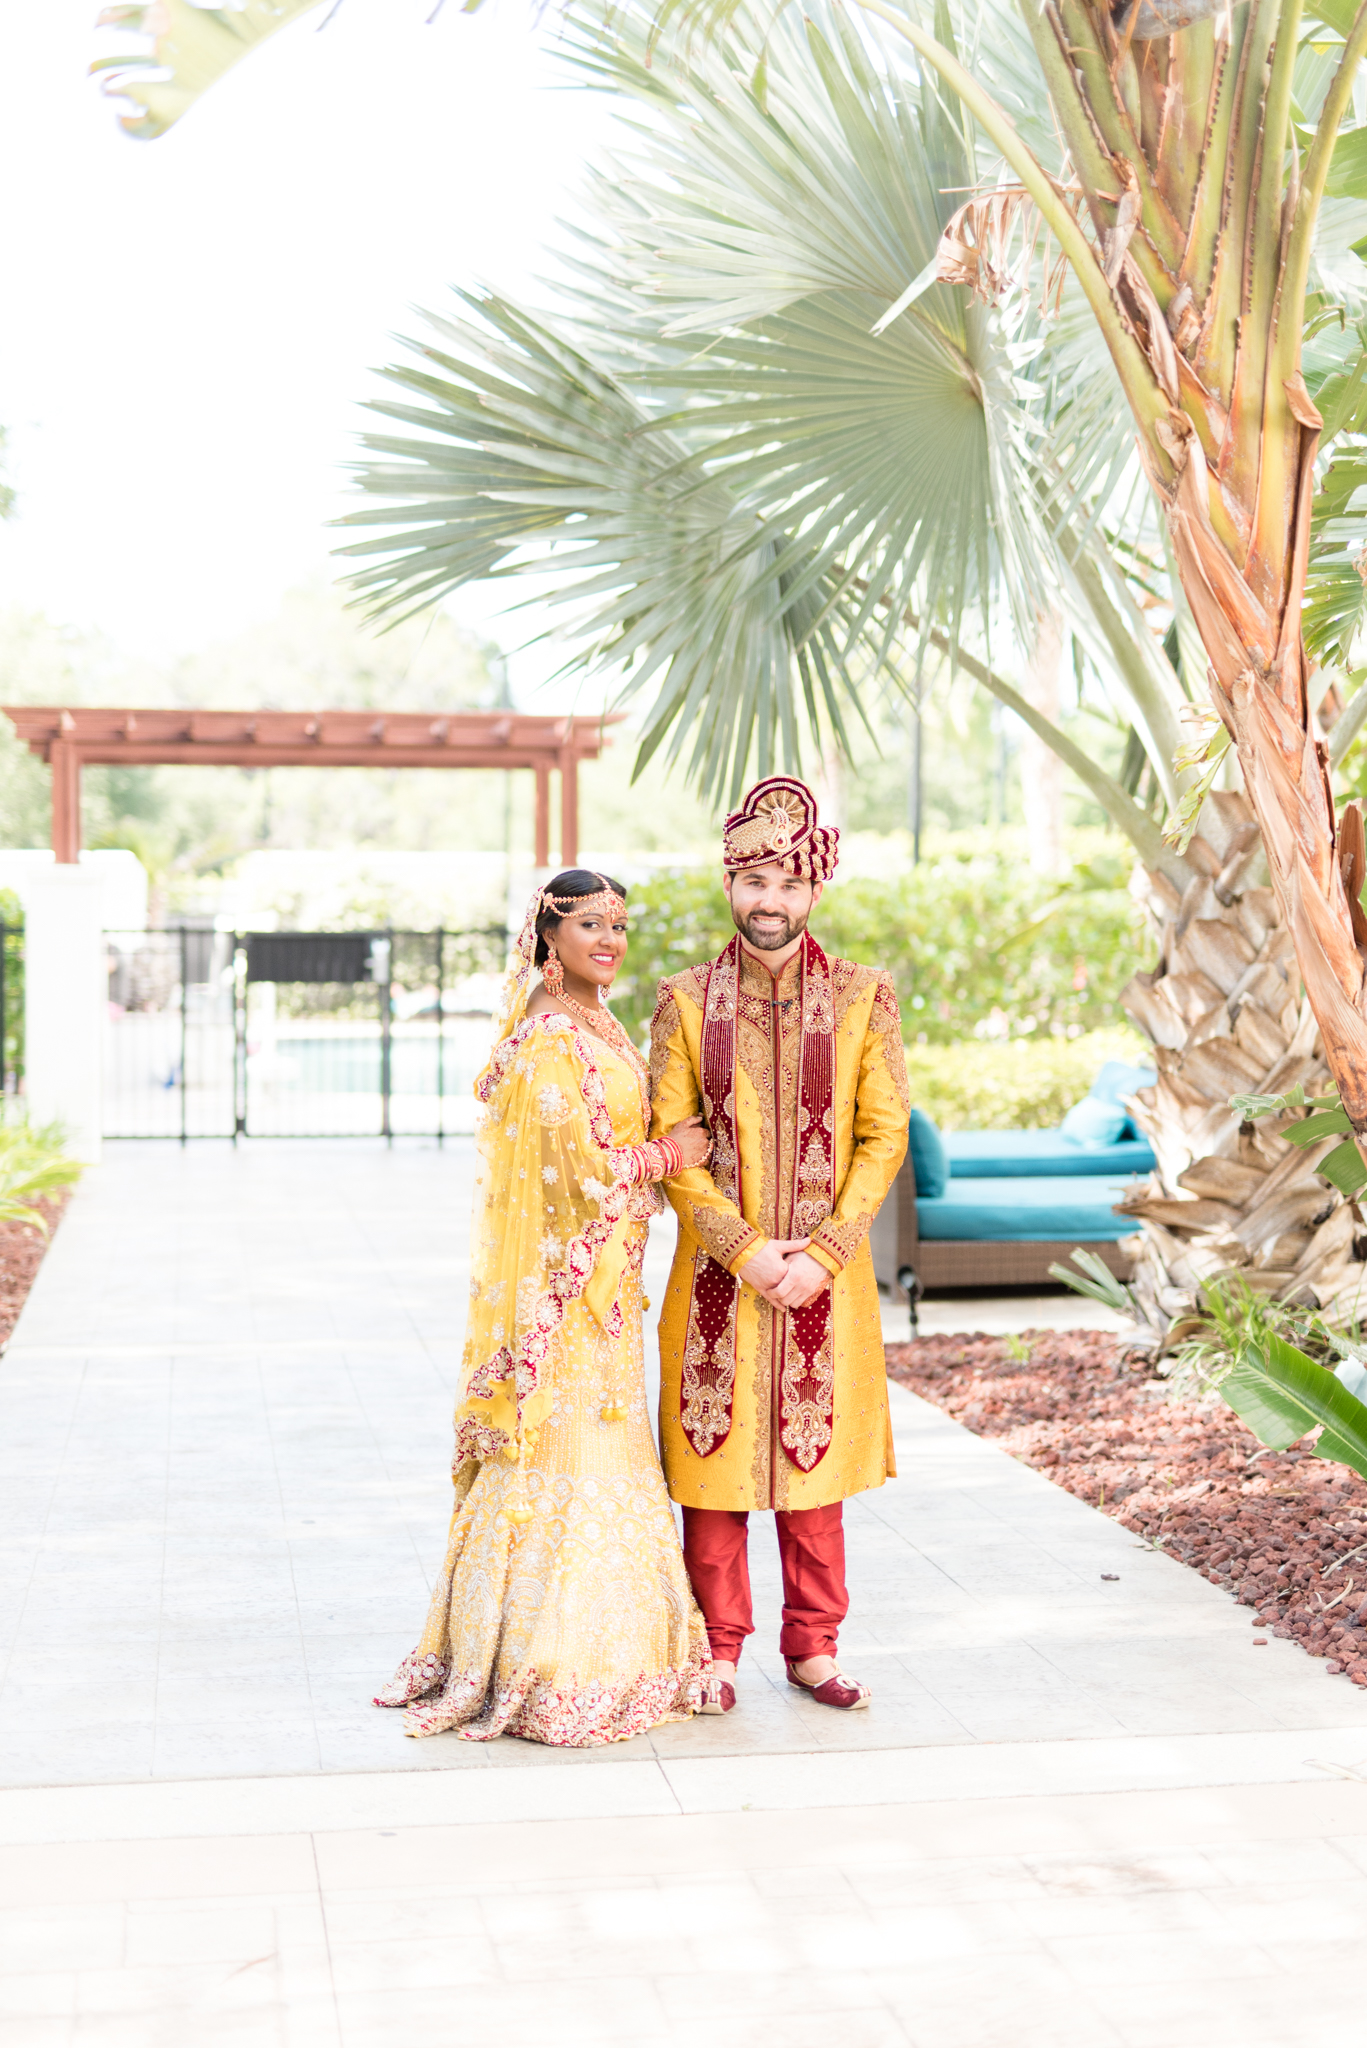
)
(190, 323)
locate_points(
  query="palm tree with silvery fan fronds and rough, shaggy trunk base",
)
(751, 503)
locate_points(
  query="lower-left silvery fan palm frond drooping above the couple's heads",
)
(532, 458)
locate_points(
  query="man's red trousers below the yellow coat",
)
(813, 1558)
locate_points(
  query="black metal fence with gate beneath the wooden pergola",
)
(296, 1033)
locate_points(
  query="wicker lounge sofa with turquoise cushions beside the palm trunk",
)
(1001, 1207)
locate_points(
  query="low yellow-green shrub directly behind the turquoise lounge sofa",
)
(1020, 1084)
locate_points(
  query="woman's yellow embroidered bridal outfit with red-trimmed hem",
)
(577, 1625)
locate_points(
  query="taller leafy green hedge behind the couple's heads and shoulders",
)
(970, 941)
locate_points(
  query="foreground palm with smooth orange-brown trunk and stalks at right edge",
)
(1198, 142)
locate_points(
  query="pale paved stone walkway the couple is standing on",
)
(1081, 1809)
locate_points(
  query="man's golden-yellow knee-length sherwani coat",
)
(749, 1469)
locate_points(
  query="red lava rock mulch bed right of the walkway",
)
(1286, 1533)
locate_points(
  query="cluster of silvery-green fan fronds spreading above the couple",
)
(737, 486)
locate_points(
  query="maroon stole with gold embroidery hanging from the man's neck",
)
(802, 1336)
